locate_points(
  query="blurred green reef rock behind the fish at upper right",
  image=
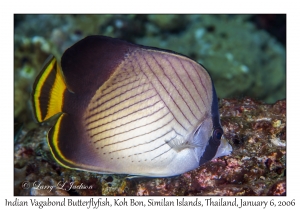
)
(242, 60)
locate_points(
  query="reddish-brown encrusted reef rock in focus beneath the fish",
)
(257, 165)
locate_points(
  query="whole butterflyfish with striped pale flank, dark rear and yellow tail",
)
(129, 109)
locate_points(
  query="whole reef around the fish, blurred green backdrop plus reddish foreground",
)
(243, 60)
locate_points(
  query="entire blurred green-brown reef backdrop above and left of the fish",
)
(242, 59)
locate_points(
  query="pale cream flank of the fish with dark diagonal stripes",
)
(151, 99)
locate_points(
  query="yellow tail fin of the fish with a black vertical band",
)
(48, 91)
